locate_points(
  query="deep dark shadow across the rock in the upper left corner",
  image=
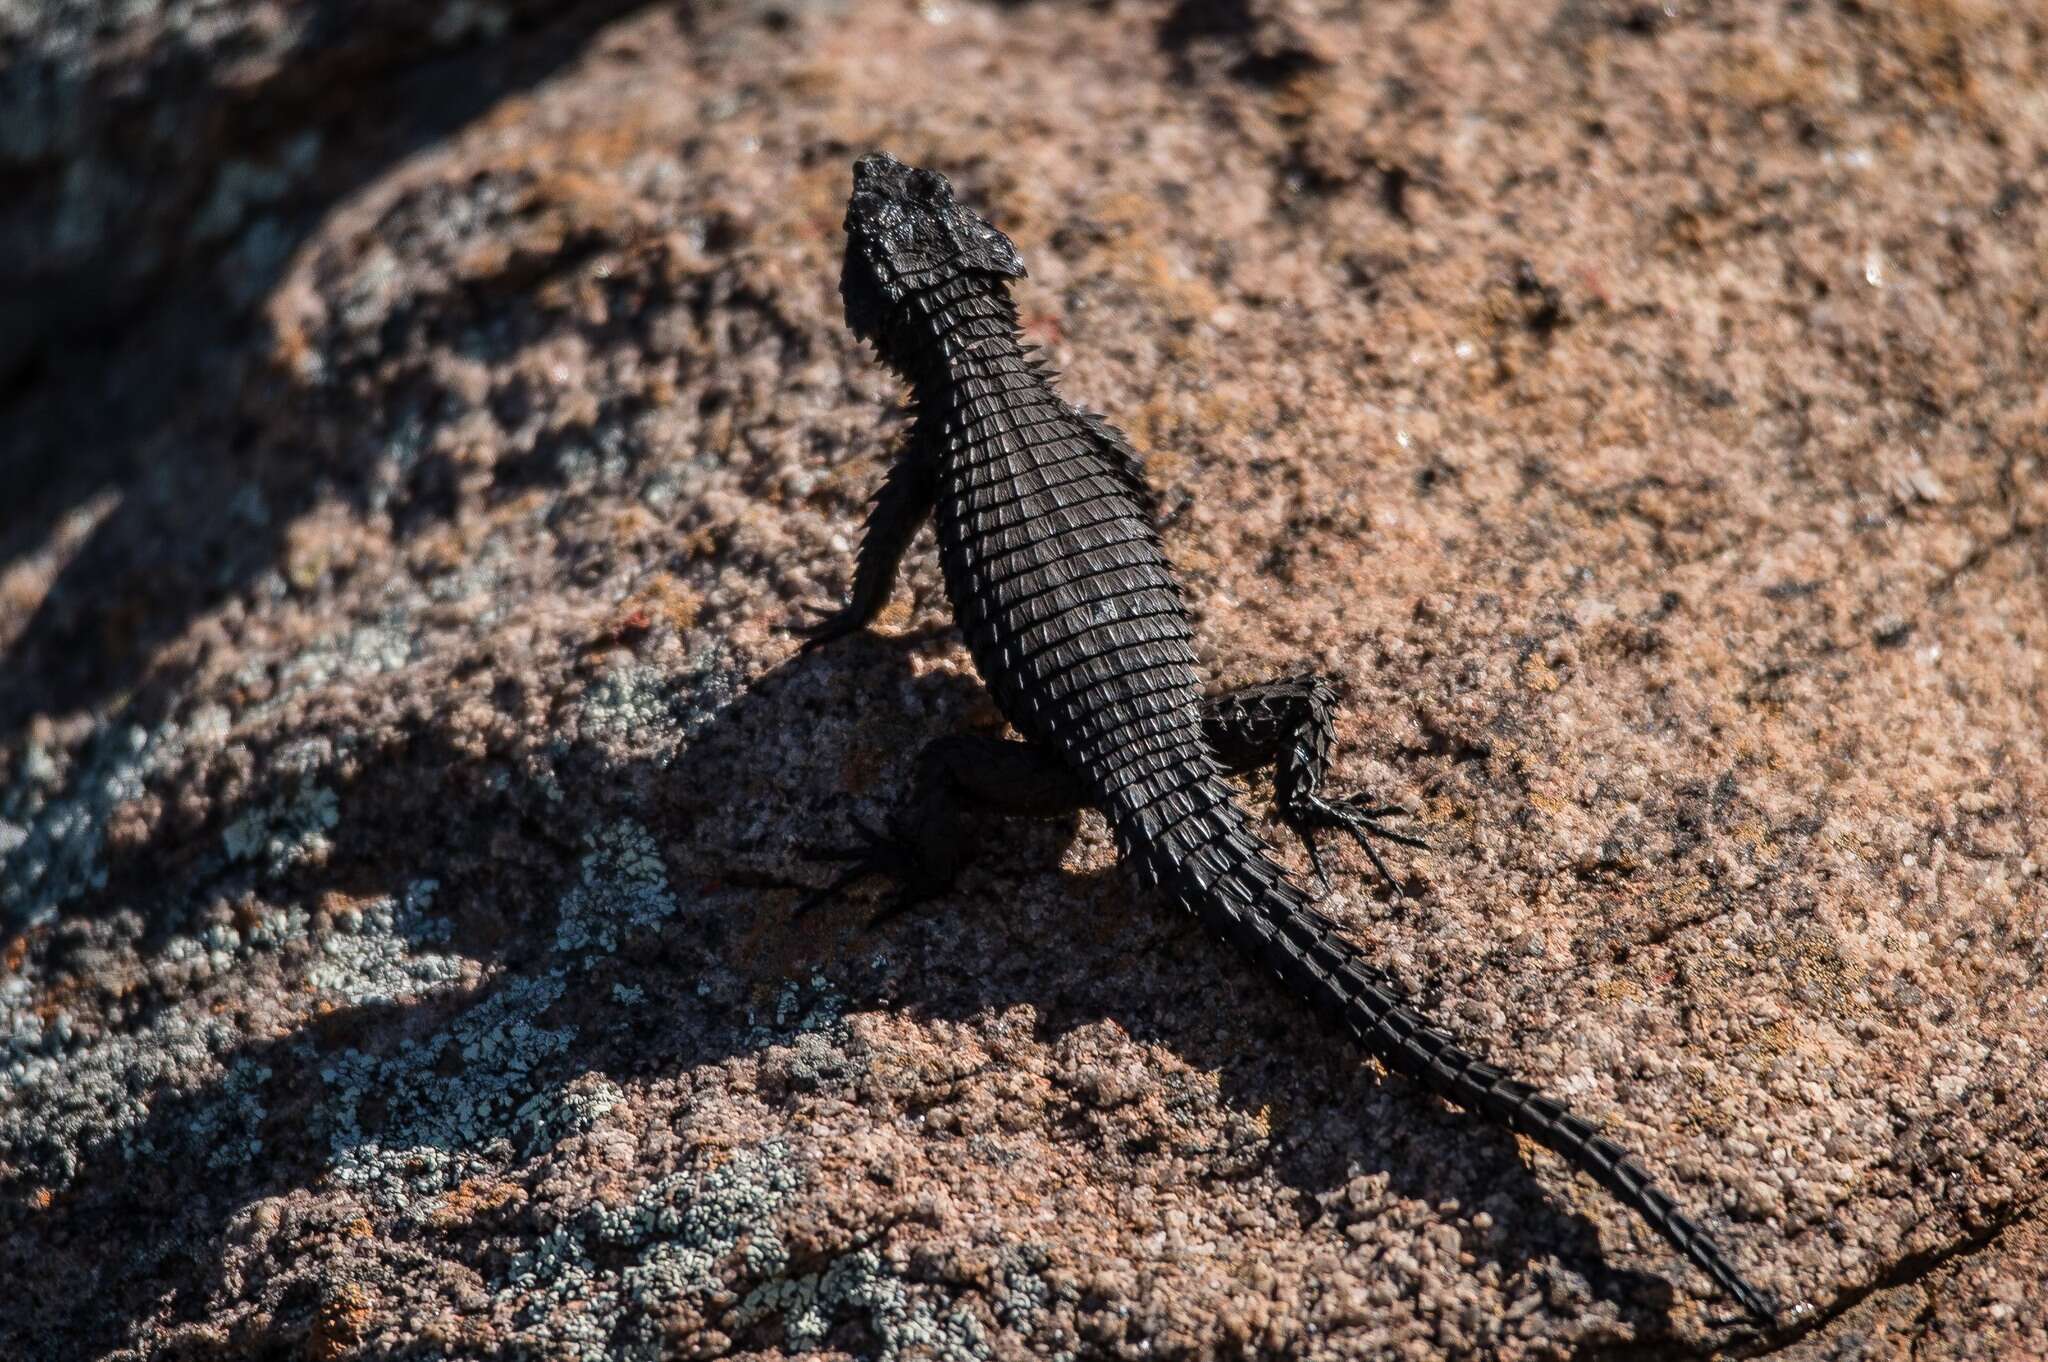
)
(128, 388)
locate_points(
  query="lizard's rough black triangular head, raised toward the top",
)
(904, 235)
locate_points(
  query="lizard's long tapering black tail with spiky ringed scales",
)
(1230, 882)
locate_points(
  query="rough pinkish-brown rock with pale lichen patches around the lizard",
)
(407, 763)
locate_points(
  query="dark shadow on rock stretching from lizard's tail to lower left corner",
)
(347, 1089)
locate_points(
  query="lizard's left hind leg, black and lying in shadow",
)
(925, 845)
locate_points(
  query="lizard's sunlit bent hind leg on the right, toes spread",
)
(1291, 726)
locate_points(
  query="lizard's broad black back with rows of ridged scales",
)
(1062, 587)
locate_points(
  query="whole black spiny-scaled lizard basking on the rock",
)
(1076, 622)
